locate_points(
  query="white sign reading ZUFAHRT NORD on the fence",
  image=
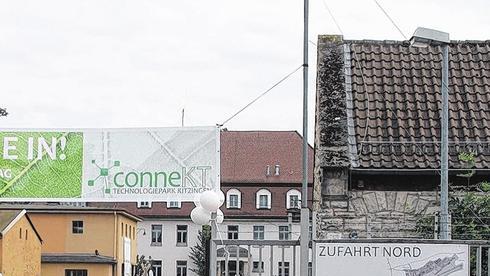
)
(391, 259)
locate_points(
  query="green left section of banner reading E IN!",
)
(41, 164)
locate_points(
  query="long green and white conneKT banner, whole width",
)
(141, 164)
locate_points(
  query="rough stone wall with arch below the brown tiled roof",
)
(374, 214)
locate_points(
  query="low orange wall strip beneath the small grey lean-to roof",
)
(92, 269)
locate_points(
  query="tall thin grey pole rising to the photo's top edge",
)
(305, 212)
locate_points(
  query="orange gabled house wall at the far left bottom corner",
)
(20, 253)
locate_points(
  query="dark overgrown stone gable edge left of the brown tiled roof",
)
(331, 117)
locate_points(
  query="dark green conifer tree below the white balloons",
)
(200, 252)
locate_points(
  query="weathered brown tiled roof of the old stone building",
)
(393, 101)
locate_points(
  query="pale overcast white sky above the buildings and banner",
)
(137, 63)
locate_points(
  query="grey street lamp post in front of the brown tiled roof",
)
(424, 37)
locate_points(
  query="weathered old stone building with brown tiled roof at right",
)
(378, 130)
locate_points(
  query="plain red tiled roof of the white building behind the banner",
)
(245, 156)
